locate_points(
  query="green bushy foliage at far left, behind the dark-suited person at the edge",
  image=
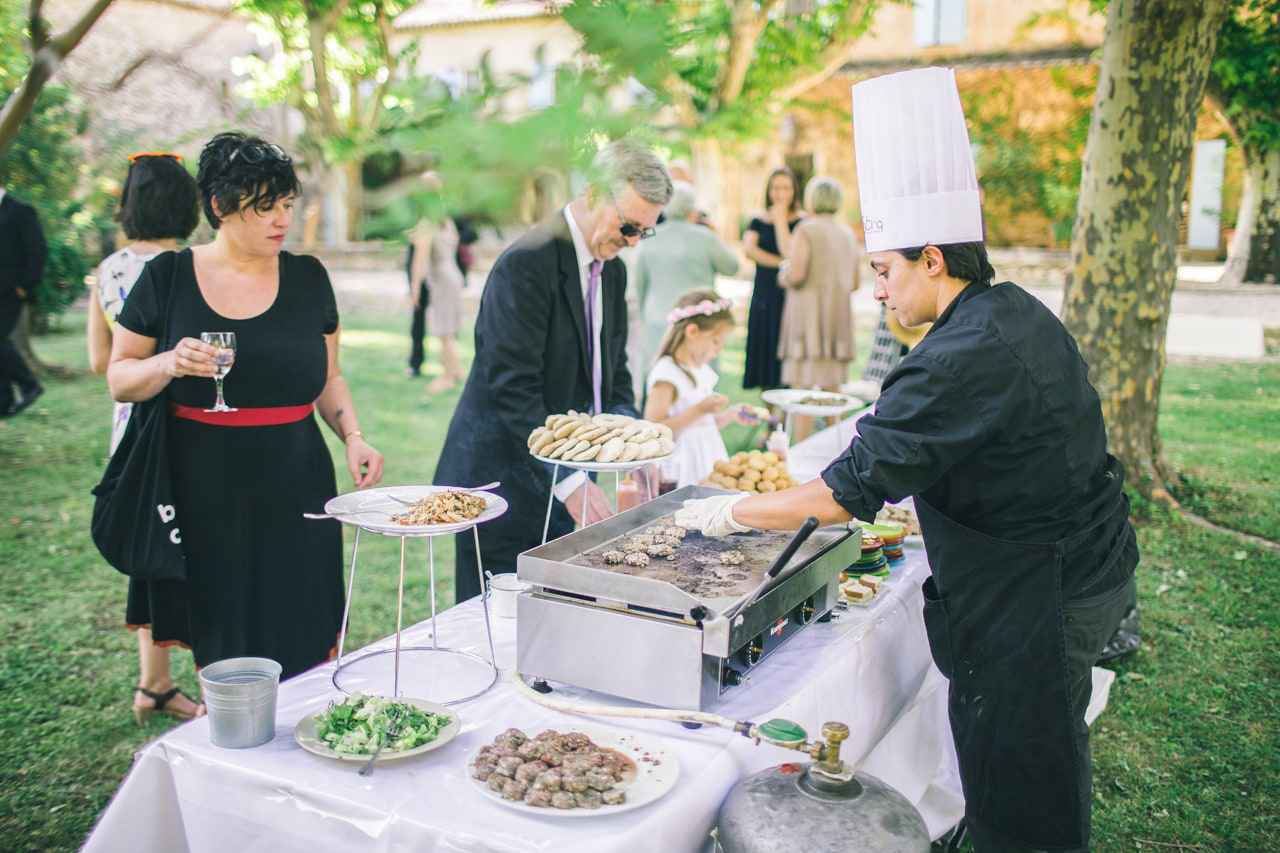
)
(45, 168)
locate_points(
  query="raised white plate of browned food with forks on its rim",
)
(417, 510)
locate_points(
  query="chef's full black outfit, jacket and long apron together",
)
(993, 426)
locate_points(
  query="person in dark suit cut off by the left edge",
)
(22, 263)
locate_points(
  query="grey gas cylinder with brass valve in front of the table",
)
(820, 808)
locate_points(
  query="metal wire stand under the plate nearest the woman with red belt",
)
(459, 669)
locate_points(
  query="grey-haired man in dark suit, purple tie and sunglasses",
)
(537, 355)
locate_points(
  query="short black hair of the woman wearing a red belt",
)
(239, 171)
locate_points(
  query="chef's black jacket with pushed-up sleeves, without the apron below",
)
(990, 419)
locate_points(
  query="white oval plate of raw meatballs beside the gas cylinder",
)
(575, 773)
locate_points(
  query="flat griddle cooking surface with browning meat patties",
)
(698, 567)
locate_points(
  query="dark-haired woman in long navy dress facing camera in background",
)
(769, 243)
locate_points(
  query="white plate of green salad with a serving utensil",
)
(351, 731)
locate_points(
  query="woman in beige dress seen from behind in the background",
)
(817, 341)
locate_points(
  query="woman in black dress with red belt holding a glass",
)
(262, 581)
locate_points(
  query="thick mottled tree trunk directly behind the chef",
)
(1124, 245)
